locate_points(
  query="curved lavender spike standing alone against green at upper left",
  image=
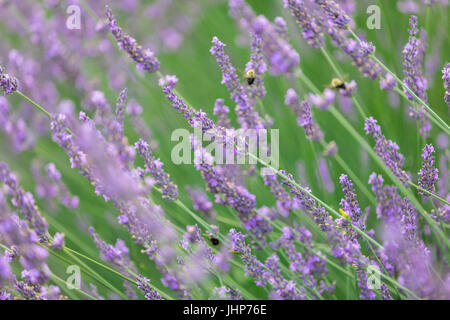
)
(145, 58)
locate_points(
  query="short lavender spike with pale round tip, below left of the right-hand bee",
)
(304, 116)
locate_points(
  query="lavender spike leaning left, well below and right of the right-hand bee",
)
(387, 150)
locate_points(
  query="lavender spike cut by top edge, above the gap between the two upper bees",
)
(310, 30)
